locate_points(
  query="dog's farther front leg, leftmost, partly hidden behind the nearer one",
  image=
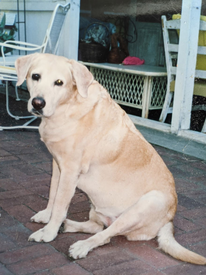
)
(45, 215)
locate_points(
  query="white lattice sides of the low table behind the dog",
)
(127, 89)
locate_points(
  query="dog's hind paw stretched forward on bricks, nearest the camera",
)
(79, 250)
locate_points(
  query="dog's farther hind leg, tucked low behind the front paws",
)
(93, 225)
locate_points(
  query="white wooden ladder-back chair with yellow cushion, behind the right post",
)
(171, 53)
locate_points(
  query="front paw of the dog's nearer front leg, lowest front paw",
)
(43, 235)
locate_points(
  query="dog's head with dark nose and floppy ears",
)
(51, 80)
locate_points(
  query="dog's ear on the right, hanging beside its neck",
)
(82, 77)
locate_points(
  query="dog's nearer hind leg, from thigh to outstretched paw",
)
(149, 213)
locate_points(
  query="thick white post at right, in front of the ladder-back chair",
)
(187, 55)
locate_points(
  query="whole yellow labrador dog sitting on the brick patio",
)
(96, 148)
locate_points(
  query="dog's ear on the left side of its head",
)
(22, 66)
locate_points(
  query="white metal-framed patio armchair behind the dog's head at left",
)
(50, 45)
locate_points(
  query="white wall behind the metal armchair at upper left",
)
(38, 14)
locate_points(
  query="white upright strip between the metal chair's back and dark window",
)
(70, 38)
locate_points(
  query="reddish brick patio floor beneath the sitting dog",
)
(25, 171)
